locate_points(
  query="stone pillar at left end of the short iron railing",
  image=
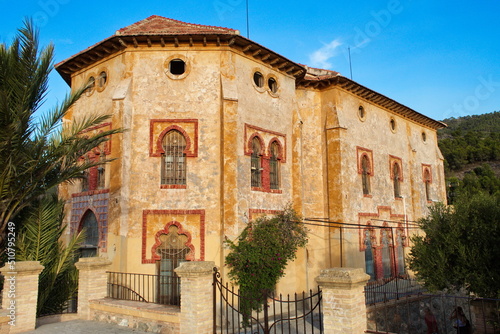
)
(92, 282)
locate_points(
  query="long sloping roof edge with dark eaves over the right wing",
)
(323, 79)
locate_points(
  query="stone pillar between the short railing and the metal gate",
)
(196, 296)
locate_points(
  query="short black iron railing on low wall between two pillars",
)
(158, 289)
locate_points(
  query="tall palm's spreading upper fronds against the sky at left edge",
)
(36, 156)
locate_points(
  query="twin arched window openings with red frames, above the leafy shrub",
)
(256, 169)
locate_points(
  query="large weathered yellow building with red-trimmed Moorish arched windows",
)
(221, 130)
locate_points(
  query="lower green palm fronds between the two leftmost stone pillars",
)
(40, 240)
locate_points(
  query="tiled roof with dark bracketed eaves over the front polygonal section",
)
(167, 33)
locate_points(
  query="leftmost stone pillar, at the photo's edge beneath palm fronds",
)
(20, 294)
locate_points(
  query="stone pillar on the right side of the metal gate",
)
(344, 308)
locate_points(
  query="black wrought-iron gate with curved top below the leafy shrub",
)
(299, 314)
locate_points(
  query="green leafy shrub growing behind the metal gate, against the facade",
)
(258, 260)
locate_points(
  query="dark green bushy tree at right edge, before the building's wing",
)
(461, 246)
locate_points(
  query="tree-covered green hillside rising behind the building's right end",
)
(471, 148)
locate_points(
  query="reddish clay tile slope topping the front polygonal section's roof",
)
(158, 25)
